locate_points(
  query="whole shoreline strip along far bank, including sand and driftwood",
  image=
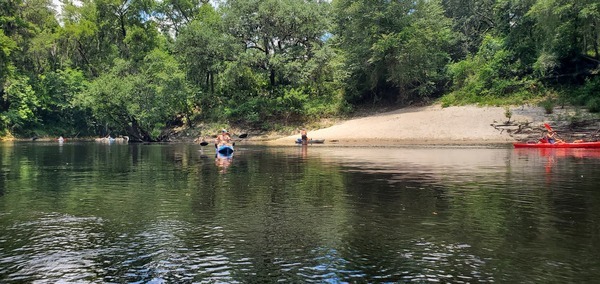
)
(425, 125)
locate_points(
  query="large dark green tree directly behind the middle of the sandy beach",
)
(394, 49)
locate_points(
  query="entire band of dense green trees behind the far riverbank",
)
(95, 67)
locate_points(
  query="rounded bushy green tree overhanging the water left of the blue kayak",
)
(138, 100)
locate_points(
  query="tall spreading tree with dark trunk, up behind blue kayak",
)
(278, 33)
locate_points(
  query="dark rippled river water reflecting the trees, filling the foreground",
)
(96, 213)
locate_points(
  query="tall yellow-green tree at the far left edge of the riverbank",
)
(26, 29)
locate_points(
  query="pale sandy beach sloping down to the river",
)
(427, 125)
